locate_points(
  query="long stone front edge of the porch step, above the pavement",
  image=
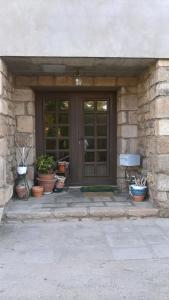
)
(79, 213)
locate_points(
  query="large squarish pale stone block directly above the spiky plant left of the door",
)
(25, 124)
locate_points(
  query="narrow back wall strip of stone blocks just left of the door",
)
(25, 123)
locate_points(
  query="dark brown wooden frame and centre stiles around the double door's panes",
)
(74, 130)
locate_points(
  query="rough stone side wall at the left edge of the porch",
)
(7, 126)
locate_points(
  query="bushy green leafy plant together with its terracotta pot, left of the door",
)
(46, 176)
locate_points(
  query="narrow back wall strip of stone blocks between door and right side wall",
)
(127, 124)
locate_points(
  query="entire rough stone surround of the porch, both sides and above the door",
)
(142, 122)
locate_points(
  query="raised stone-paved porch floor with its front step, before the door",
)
(74, 204)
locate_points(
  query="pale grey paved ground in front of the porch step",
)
(83, 260)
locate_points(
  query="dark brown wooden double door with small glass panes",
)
(79, 128)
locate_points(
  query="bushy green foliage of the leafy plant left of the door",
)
(45, 164)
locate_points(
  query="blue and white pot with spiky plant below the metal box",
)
(138, 189)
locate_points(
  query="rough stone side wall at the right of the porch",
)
(153, 130)
